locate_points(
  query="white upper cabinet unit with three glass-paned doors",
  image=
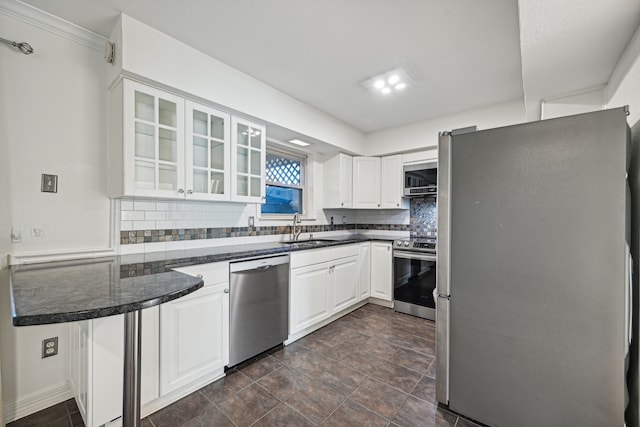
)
(165, 146)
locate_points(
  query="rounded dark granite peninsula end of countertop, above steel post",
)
(67, 291)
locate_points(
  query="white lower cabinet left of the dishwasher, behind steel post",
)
(185, 345)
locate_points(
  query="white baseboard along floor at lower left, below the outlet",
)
(37, 401)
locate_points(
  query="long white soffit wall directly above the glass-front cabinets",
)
(144, 51)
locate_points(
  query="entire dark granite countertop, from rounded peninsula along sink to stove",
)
(67, 291)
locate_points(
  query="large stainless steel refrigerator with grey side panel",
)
(534, 304)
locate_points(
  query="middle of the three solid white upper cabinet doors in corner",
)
(366, 182)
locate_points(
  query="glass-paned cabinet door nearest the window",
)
(248, 160)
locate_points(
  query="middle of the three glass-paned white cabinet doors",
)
(208, 153)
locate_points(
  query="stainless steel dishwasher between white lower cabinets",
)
(258, 306)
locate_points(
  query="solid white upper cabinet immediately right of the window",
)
(338, 181)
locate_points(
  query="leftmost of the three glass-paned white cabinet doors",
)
(154, 142)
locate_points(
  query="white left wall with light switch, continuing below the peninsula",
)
(52, 120)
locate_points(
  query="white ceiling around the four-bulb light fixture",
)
(462, 54)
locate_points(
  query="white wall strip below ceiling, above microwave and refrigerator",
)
(420, 135)
